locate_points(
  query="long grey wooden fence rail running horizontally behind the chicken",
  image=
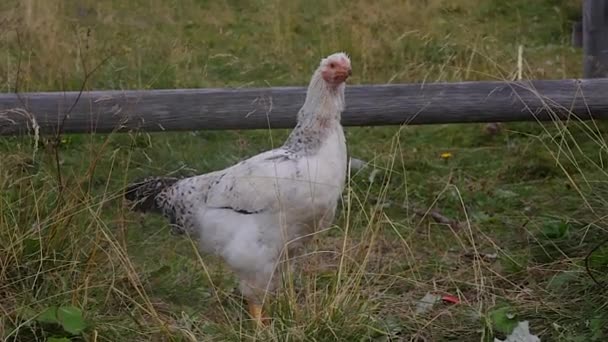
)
(198, 109)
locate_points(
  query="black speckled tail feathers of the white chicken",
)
(144, 194)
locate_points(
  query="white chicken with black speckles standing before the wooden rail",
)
(254, 212)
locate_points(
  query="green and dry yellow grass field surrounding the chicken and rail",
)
(528, 203)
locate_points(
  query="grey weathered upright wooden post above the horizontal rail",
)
(595, 38)
